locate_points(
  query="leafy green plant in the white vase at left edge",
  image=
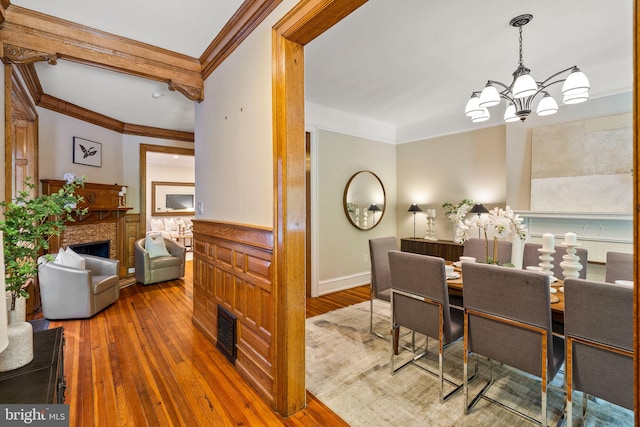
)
(28, 225)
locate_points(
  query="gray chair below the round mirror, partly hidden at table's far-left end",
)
(380, 277)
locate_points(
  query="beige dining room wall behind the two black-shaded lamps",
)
(468, 165)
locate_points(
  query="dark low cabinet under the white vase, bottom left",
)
(42, 380)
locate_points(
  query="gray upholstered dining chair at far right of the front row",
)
(598, 325)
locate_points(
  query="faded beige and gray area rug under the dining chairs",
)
(348, 369)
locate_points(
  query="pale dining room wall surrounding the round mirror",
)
(343, 250)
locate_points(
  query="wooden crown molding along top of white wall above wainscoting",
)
(250, 14)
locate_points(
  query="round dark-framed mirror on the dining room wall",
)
(364, 200)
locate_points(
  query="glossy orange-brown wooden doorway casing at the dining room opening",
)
(302, 24)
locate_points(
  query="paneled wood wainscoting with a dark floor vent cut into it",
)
(232, 268)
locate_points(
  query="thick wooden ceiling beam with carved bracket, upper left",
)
(38, 32)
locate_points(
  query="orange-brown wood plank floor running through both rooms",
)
(141, 362)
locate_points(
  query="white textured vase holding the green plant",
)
(19, 352)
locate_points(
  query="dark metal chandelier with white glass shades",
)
(522, 91)
